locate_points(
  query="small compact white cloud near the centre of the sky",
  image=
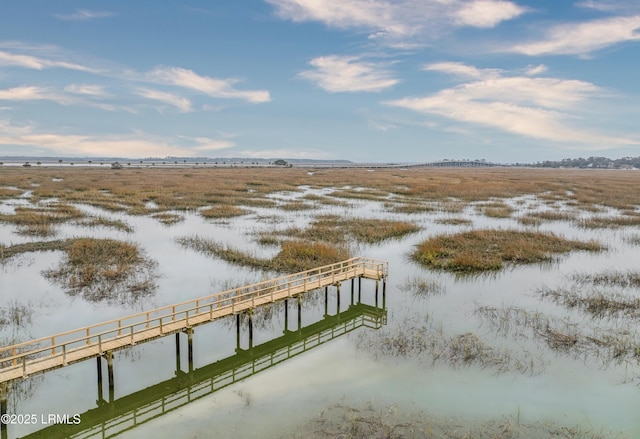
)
(348, 74)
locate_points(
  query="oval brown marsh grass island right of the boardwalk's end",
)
(485, 250)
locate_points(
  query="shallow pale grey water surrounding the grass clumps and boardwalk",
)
(273, 402)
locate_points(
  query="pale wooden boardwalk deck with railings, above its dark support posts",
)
(44, 354)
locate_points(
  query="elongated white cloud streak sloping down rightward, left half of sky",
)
(220, 88)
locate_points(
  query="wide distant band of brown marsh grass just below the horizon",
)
(418, 190)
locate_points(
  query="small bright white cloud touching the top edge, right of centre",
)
(487, 13)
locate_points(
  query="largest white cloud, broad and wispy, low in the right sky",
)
(541, 108)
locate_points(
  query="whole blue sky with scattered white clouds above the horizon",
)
(363, 80)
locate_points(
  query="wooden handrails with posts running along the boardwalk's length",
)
(237, 299)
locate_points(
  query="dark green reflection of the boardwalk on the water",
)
(113, 417)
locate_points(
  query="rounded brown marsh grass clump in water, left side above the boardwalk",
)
(105, 270)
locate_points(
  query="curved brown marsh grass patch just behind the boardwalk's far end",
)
(294, 256)
